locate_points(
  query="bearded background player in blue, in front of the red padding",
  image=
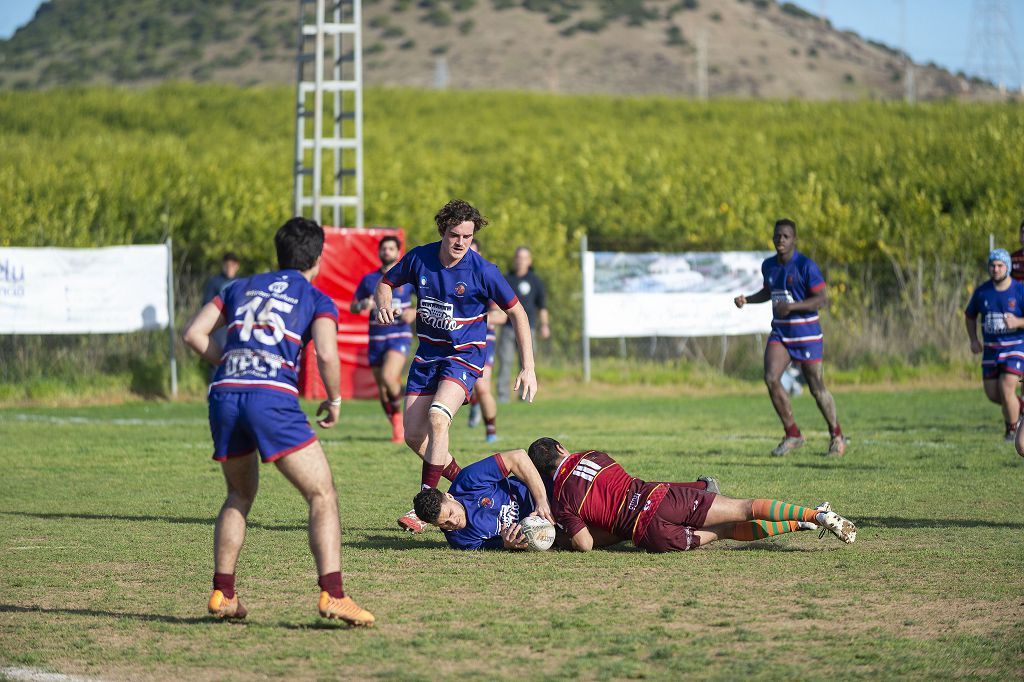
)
(389, 344)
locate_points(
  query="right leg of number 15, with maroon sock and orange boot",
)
(309, 472)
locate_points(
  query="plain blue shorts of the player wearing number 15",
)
(269, 421)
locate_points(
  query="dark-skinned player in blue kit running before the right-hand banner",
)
(794, 285)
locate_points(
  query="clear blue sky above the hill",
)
(936, 30)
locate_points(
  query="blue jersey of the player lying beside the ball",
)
(492, 499)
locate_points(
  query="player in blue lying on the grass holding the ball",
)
(488, 499)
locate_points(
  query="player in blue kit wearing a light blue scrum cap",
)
(1000, 304)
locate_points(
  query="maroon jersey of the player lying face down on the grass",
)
(591, 489)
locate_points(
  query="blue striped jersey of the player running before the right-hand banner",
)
(795, 281)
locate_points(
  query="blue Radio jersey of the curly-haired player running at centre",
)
(452, 304)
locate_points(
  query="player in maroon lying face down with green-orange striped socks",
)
(598, 503)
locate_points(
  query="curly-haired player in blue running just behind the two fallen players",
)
(453, 287)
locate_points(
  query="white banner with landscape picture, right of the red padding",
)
(673, 294)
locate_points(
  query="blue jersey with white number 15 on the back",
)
(270, 320)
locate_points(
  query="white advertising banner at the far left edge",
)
(83, 291)
